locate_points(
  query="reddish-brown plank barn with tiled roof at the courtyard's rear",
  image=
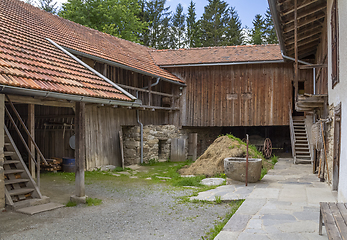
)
(237, 89)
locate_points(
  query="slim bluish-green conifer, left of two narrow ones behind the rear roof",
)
(178, 28)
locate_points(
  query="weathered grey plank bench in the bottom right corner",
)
(334, 217)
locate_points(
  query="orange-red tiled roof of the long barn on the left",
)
(28, 60)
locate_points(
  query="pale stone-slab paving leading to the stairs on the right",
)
(283, 205)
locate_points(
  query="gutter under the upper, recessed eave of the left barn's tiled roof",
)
(115, 64)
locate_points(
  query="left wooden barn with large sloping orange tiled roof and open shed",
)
(53, 86)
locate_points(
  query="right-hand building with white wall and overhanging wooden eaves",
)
(313, 33)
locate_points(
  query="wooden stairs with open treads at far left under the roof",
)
(19, 185)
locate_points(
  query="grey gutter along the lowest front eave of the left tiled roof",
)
(69, 97)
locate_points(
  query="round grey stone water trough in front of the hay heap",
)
(235, 168)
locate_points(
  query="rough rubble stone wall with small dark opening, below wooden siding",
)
(156, 142)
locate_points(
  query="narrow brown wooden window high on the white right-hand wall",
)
(334, 44)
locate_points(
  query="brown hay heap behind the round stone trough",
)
(212, 161)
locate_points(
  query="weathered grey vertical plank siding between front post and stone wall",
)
(102, 132)
